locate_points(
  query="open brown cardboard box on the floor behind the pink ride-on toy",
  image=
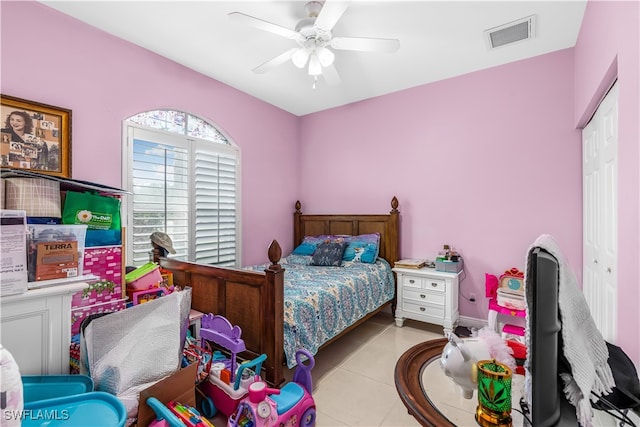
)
(179, 386)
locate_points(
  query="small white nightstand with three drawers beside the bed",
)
(427, 295)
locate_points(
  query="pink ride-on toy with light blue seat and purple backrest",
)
(292, 405)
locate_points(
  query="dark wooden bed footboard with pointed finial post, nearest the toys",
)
(252, 300)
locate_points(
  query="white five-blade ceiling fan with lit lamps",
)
(315, 40)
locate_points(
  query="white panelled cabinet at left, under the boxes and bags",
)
(36, 328)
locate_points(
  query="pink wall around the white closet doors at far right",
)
(608, 47)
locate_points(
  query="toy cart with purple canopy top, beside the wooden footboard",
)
(227, 383)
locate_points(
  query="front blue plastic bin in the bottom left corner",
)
(95, 409)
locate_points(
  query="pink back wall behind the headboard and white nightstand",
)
(485, 162)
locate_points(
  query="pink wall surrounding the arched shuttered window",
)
(103, 80)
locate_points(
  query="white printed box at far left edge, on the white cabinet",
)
(13, 243)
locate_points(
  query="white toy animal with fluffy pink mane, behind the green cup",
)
(460, 356)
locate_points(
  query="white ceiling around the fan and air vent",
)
(438, 40)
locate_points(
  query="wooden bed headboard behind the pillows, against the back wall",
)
(388, 225)
